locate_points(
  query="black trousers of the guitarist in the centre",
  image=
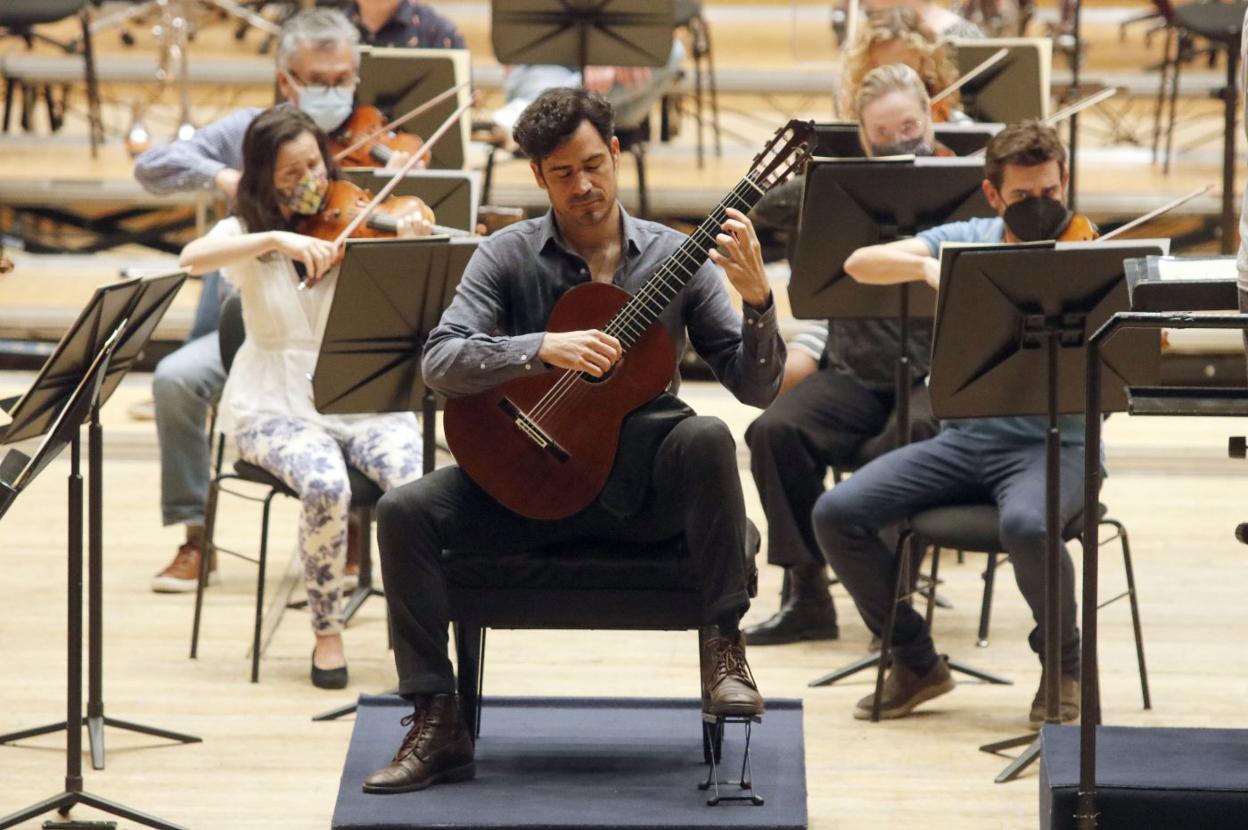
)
(695, 490)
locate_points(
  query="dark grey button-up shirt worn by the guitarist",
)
(494, 329)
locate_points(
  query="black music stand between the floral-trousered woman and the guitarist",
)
(391, 295)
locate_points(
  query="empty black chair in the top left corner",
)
(19, 18)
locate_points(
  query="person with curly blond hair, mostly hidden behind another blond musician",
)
(899, 37)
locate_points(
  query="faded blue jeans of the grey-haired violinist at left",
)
(184, 388)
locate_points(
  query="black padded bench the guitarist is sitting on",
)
(576, 586)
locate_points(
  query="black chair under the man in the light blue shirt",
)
(975, 529)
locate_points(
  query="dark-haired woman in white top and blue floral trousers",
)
(266, 406)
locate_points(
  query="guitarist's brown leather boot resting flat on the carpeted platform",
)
(437, 748)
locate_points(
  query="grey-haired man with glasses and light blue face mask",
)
(318, 58)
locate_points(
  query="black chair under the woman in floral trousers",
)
(365, 495)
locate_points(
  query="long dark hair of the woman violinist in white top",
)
(258, 199)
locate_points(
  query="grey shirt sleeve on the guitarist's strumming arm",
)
(460, 359)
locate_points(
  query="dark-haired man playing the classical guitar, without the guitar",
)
(681, 474)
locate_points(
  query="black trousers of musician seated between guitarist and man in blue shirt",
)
(829, 420)
